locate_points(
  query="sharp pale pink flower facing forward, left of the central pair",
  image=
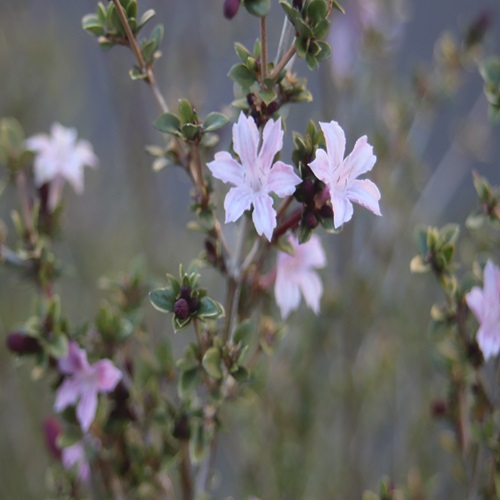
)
(256, 176)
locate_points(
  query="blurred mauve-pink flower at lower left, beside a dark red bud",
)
(83, 382)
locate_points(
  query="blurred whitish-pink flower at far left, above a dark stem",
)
(60, 157)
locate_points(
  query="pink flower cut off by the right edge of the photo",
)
(485, 304)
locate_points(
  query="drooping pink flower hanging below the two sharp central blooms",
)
(295, 274)
